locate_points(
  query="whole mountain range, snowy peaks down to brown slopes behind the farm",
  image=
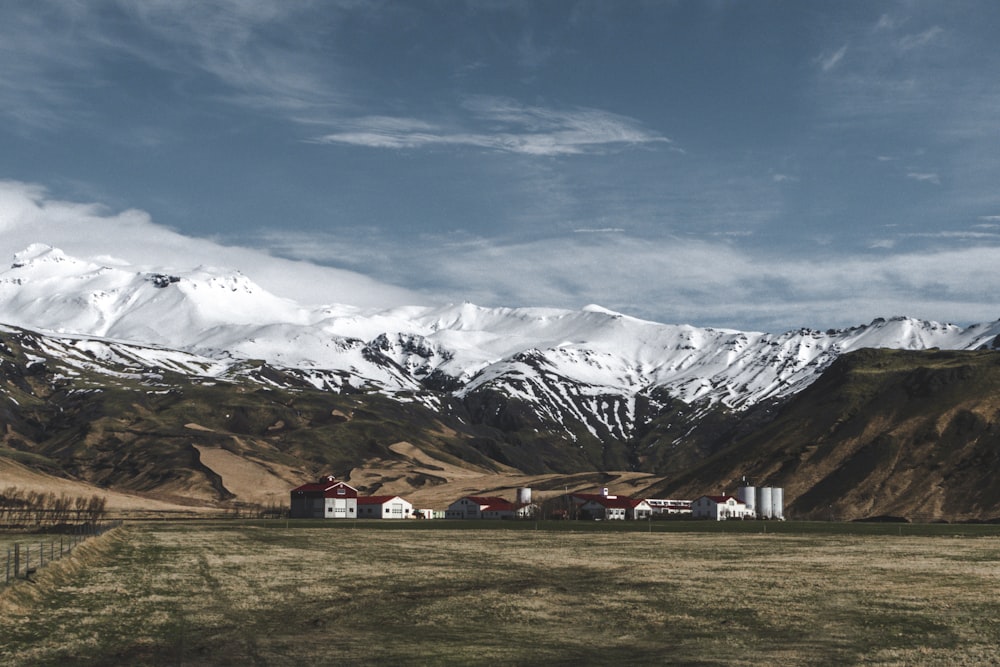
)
(201, 390)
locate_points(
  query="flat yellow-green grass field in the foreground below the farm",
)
(204, 593)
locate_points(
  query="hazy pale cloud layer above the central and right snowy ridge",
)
(680, 280)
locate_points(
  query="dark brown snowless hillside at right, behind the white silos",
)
(881, 433)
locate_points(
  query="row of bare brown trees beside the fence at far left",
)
(24, 508)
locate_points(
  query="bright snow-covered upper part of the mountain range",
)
(588, 367)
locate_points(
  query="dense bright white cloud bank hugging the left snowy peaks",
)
(90, 231)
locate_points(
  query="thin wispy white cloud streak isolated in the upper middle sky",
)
(504, 125)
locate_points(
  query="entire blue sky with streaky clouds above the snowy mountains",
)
(750, 165)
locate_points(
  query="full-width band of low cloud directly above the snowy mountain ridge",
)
(718, 283)
